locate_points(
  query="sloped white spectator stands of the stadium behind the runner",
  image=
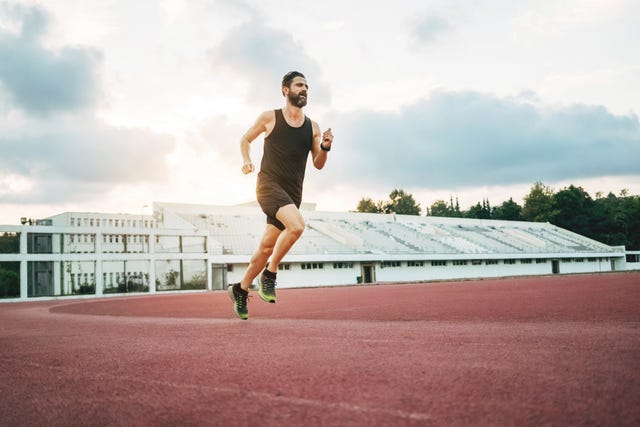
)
(238, 229)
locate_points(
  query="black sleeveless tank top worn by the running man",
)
(286, 150)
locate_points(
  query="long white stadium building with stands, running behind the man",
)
(183, 247)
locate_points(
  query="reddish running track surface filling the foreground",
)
(553, 350)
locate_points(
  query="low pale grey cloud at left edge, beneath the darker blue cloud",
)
(68, 158)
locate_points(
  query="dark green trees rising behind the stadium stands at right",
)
(613, 220)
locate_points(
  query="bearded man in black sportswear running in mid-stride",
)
(289, 137)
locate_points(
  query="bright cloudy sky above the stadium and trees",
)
(108, 106)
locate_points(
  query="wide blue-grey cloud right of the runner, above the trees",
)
(466, 138)
